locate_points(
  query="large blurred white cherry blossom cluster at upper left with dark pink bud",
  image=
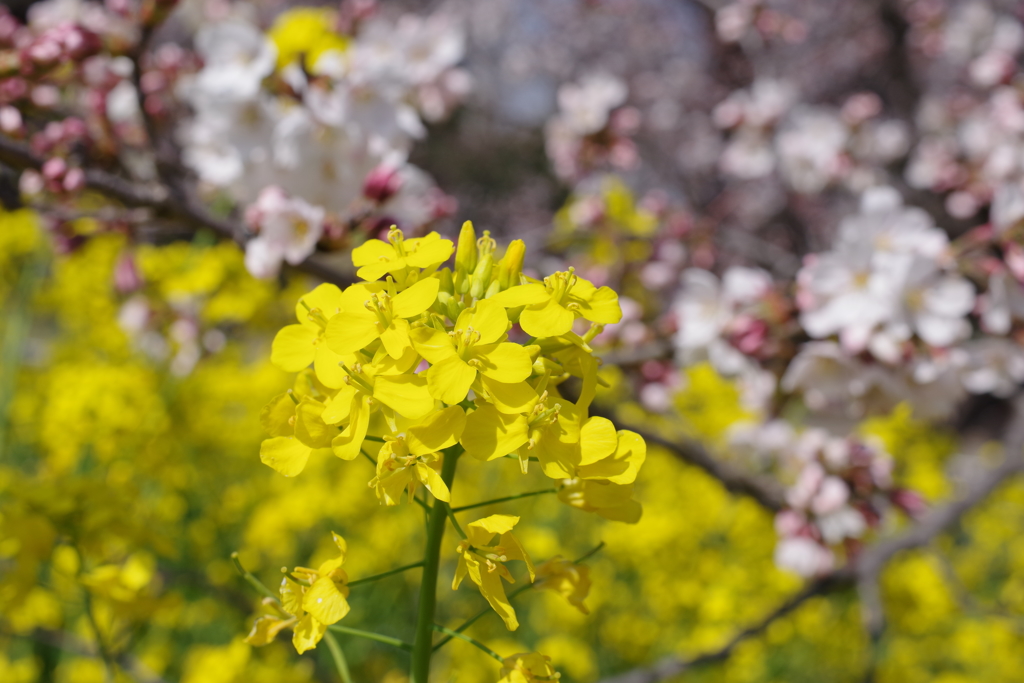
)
(333, 134)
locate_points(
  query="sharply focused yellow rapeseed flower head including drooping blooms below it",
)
(421, 363)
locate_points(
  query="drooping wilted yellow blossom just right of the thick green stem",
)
(485, 565)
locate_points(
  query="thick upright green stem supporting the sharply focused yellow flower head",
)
(423, 647)
